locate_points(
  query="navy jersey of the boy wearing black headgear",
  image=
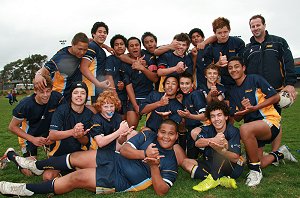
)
(64, 118)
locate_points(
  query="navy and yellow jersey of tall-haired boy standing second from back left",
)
(97, 56)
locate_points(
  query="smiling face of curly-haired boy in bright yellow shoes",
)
(218, 120)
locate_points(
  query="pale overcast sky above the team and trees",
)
(36, 26)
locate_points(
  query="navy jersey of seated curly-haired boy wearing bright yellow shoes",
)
(231, 133)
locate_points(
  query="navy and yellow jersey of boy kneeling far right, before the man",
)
(257, 90)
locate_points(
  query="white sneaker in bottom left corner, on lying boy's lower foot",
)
(8, 188)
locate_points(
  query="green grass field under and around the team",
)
(282, 181)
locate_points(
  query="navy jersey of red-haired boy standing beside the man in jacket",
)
(233, 47)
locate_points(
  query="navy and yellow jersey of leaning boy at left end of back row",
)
(64, 69)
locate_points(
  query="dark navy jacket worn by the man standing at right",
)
(271, 59)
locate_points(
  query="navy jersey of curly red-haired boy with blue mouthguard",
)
(103, 127)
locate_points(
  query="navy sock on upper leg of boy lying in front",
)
(55, 163)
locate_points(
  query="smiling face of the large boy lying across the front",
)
(167, 135)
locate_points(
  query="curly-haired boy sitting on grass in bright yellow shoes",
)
(220, 142)
